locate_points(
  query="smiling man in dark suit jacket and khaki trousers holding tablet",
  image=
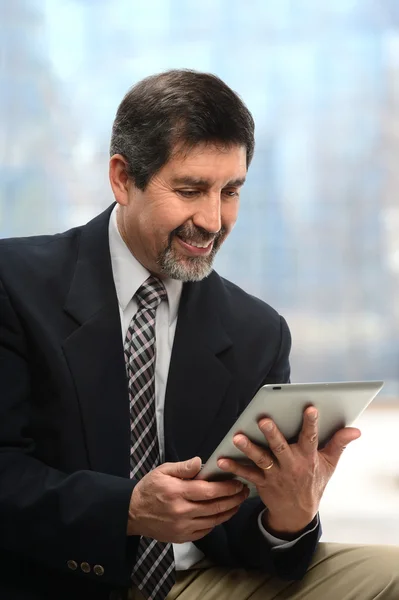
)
(124, 361)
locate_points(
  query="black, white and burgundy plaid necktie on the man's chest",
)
(154, 570)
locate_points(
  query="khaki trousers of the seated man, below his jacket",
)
(337, 572)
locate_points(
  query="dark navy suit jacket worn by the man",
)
(64, 415)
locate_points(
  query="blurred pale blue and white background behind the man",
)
(318, 232)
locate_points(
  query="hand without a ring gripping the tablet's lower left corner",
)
(169, 506)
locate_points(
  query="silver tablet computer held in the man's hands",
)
(339, 404)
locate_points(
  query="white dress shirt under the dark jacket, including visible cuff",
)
(129, 275)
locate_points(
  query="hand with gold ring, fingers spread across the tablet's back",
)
(292, 488)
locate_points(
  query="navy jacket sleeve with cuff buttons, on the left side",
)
(47, 516)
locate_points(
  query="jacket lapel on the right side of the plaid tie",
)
(198, 377)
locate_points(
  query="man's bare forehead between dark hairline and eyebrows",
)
(208, 162)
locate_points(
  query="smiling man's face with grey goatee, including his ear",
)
(177, 224)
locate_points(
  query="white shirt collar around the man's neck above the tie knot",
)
(129, 274)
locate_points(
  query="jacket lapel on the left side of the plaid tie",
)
(94, 352)
